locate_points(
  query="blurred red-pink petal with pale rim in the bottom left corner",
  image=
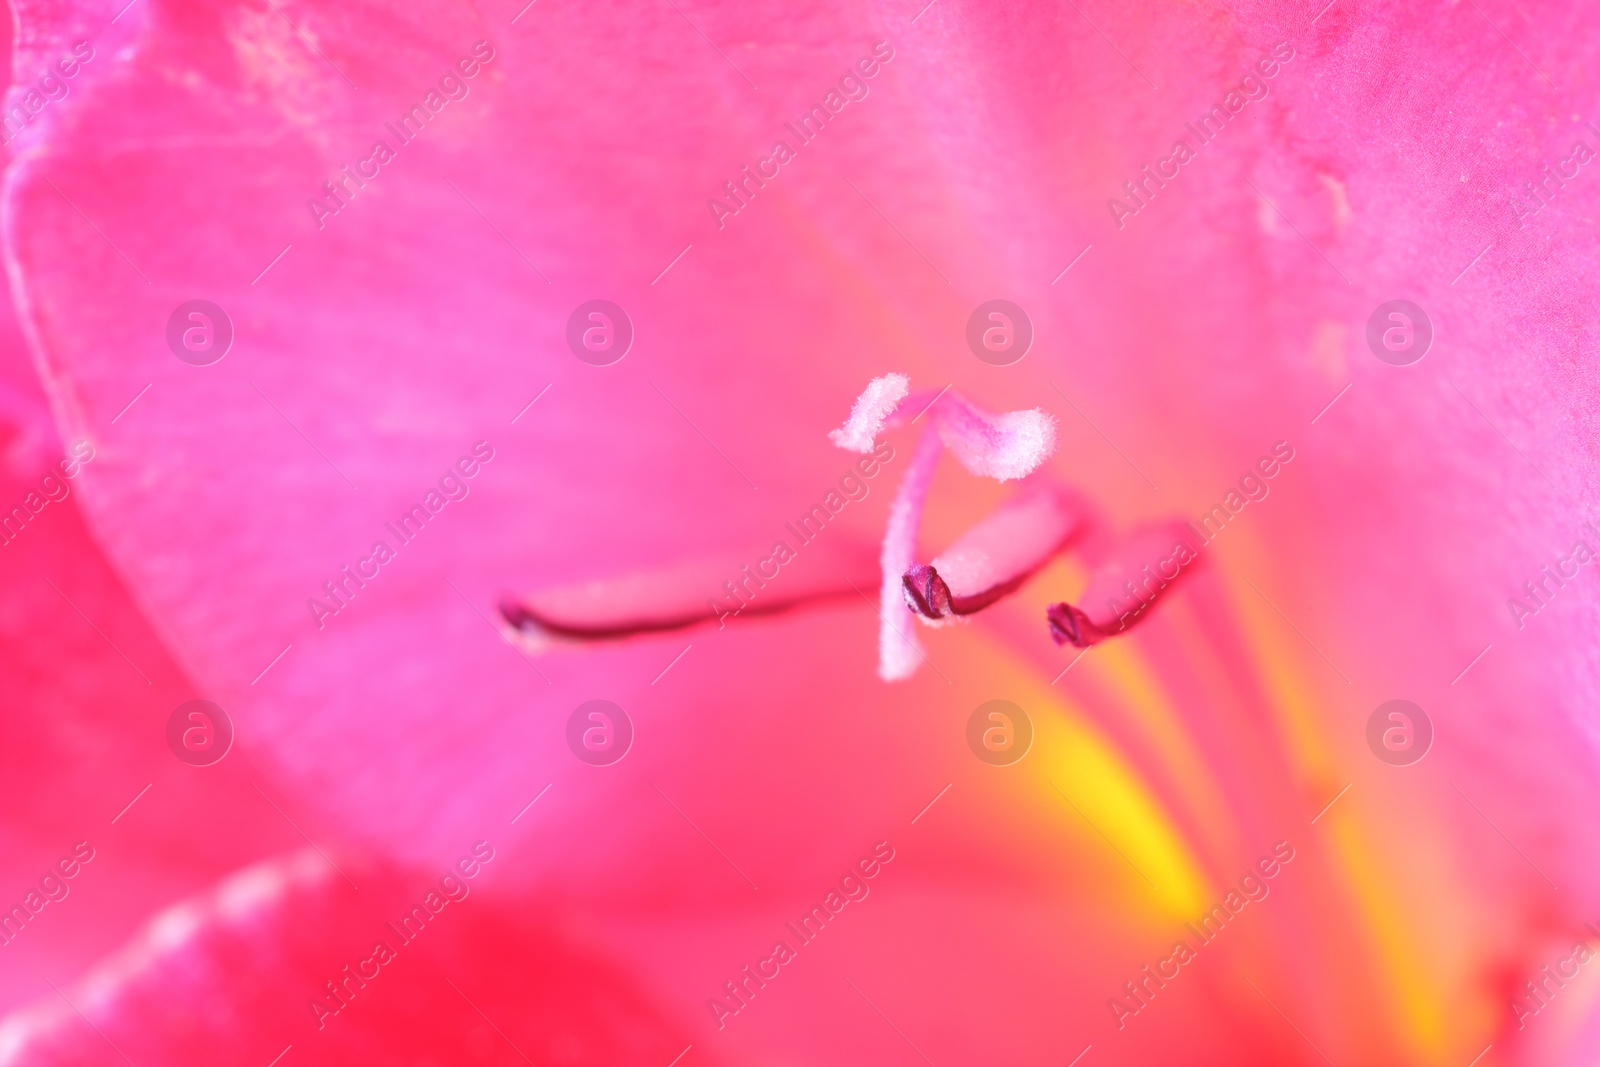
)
(265, 943)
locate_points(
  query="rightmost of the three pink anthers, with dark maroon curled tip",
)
(1135, 577)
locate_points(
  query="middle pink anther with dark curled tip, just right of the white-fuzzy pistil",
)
(996, 556)
